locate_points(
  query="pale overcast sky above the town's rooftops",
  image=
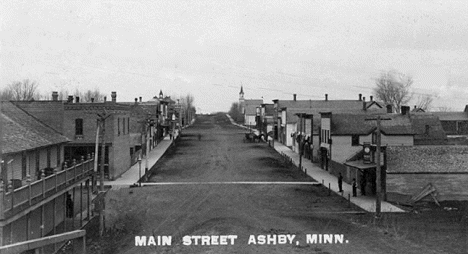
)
(210, 48)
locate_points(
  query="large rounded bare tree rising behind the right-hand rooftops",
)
(393, 88)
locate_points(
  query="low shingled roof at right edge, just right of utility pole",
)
(443, 159)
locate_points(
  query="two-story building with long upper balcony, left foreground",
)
(36, 185)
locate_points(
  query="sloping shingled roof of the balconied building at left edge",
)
(22, 132)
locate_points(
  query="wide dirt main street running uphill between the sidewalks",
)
(200, 190)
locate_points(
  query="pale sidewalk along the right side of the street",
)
(365, 202)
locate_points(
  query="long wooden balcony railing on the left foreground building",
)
(38, 190)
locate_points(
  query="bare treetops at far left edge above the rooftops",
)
(20, 91)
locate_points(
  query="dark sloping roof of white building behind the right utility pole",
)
(356, 124)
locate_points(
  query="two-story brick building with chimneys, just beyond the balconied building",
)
(78, 121)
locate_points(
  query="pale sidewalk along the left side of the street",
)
(132, 175)
